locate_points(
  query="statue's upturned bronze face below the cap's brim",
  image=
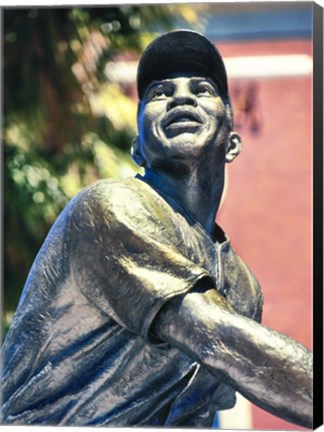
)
(179, 117)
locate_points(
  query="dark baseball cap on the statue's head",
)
(180, 51)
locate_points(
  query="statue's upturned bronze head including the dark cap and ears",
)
(184, 107)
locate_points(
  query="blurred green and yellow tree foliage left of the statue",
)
(64, 123)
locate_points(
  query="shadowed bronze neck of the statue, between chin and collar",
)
(199, 192)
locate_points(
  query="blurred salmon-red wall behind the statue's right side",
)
(267, 211)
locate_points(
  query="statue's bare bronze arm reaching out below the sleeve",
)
(270, 369)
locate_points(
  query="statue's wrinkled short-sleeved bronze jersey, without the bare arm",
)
(80, 350)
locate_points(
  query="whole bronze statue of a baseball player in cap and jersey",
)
(137, 311)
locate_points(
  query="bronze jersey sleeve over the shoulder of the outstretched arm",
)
(128, 256)
